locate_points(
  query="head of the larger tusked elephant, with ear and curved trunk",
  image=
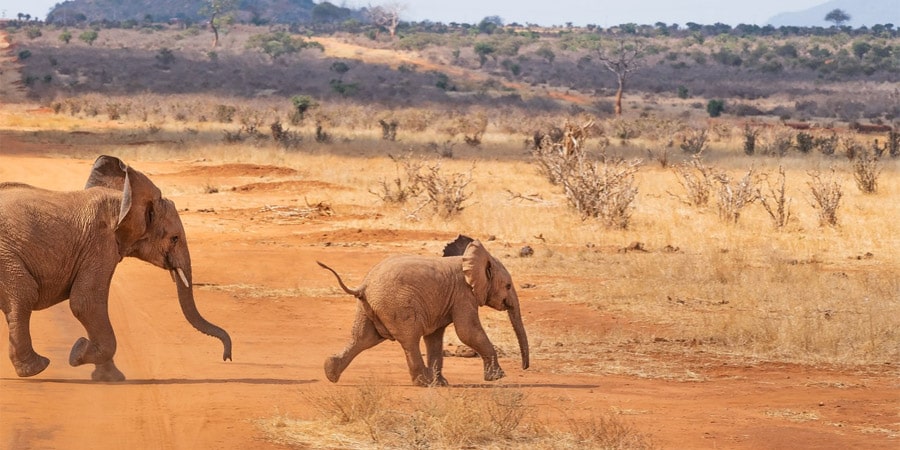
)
(150, 229)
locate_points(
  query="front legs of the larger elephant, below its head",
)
(100, 345)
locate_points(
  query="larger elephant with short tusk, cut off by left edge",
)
(66, 245)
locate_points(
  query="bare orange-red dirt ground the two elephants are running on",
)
(256, 276)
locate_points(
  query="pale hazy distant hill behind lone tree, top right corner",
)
(867, 13)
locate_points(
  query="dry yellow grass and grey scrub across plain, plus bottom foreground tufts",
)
(767, 234)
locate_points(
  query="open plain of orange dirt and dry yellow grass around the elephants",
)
(690, 325)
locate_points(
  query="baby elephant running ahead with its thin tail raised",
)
(404, 298)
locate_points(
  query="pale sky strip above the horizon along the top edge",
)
(604, 13)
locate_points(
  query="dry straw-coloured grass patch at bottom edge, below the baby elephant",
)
(375, 416)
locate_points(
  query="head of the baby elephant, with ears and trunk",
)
(491, 283)
